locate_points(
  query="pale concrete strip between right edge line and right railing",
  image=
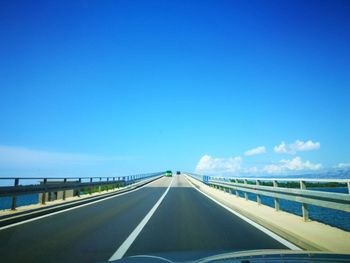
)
(307, 235)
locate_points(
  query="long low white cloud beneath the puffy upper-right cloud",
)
(296, 164)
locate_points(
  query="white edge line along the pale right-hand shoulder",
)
(261, 228)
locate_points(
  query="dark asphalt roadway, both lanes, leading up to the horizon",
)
(185, 225)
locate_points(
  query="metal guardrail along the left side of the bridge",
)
(55, 184)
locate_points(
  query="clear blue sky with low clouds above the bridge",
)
(121, 87)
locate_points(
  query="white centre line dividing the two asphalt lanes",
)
(131, 238)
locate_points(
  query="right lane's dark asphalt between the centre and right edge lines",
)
(189, 222)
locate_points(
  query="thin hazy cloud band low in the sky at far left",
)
(23, 157)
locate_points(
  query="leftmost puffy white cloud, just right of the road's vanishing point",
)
(211, 165)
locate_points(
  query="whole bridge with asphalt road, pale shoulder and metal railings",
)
(181, 217)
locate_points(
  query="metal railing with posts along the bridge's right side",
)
(291, 189)
